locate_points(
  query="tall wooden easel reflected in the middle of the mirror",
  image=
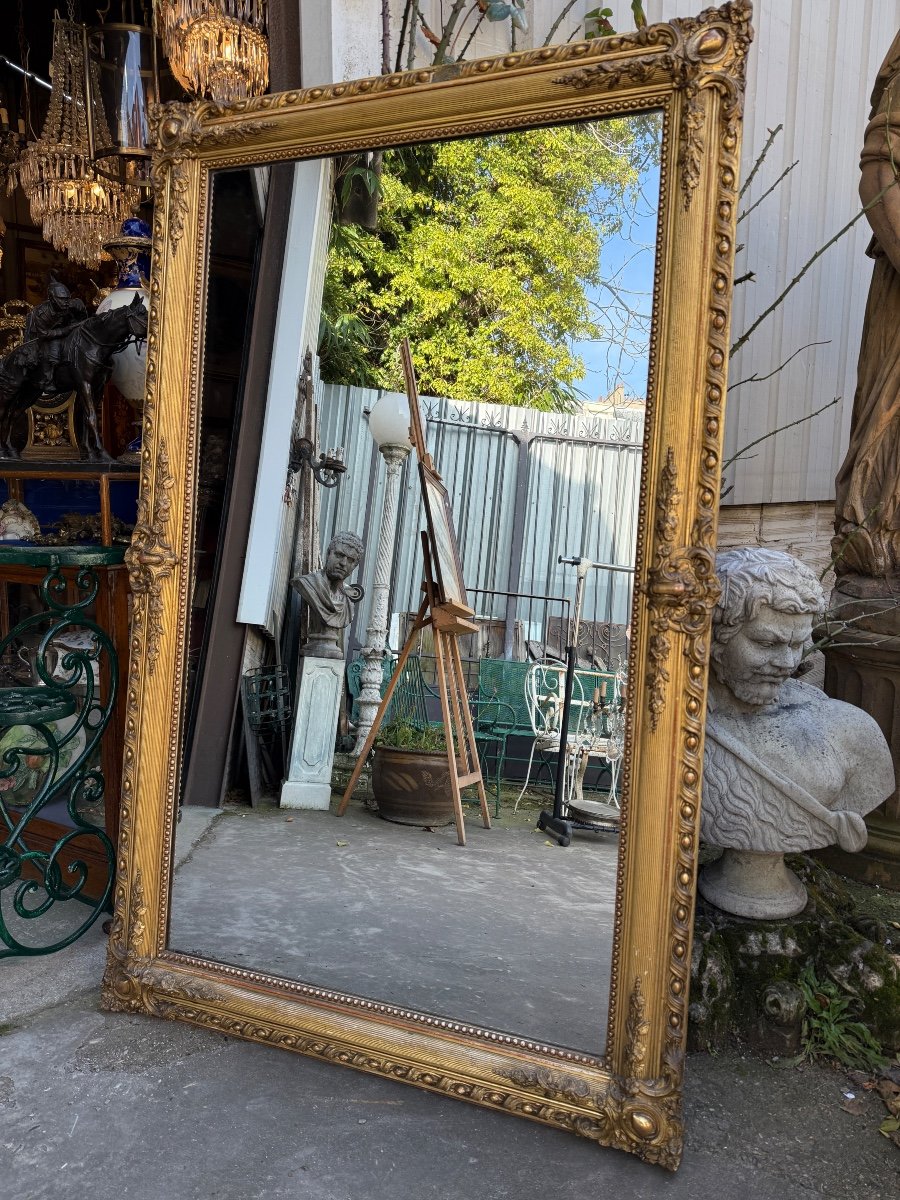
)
(449, 621)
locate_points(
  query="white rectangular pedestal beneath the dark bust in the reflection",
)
(313, 748)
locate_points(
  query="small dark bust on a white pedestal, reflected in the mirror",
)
(331, 599)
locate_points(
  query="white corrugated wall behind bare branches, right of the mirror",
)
(812, 69)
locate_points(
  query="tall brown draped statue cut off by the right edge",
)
(868, 493)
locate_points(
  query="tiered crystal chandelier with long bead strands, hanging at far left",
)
(76, 211)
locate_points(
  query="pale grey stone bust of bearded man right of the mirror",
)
(787, 769)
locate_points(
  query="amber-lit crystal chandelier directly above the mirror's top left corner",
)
(217, 49)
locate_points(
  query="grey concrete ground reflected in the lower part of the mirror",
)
(406, 916)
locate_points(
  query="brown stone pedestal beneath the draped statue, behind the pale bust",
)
(865, 670)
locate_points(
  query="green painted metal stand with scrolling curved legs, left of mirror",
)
(34, 881)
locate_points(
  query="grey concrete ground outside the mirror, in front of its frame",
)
(111, 1107)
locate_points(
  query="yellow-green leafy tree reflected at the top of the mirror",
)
(487, 255)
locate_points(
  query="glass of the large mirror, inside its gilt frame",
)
(521, 269)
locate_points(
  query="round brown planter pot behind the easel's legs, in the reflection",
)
(412, 788)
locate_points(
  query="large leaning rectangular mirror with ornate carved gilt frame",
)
(541, 975)
